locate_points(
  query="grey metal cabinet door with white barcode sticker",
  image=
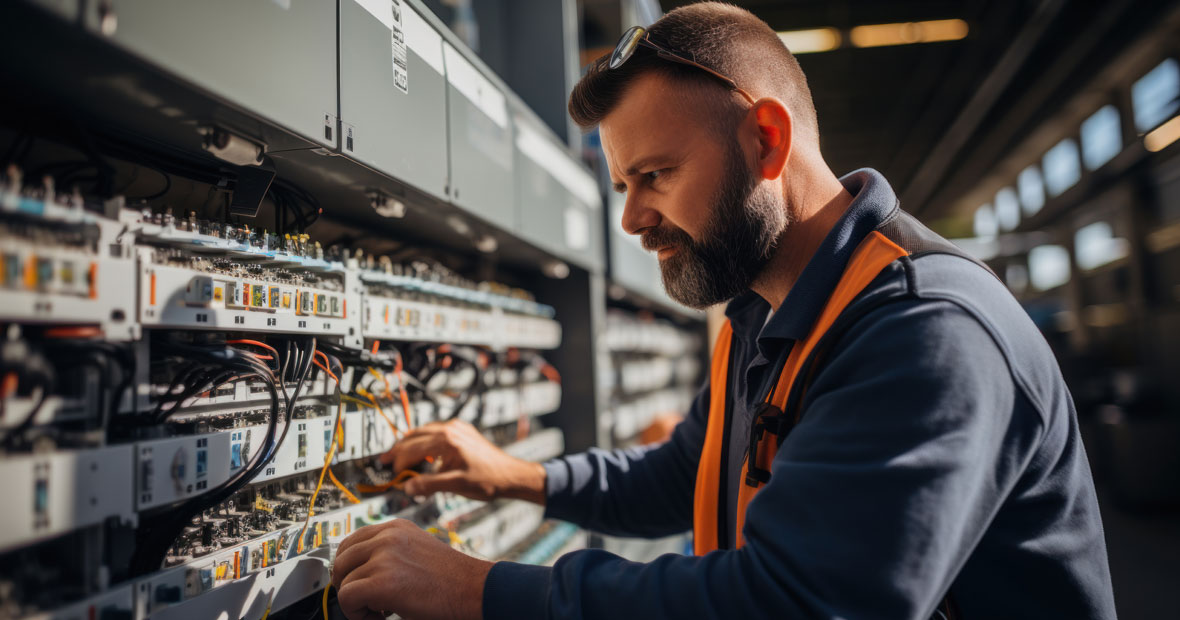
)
(397, 129)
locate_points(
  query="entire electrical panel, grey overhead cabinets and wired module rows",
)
(244, 252)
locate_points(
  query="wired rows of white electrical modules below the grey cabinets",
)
(189, 410)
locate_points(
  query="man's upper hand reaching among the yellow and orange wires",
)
(470, 465)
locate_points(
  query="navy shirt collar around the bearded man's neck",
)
(874, 203)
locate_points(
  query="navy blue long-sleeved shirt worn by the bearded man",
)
(939, 452)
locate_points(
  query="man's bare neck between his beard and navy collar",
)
(817, 210)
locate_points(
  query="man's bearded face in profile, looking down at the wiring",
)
(690, 193)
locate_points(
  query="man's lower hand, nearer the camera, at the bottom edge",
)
(398, 569)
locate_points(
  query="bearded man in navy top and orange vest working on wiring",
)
(884, 434)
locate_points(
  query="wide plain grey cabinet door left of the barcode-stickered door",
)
(277, 60)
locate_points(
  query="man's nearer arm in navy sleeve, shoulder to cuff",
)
(913, 436)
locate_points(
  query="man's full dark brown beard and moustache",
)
(739, 240)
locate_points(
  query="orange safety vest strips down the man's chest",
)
(871, 257)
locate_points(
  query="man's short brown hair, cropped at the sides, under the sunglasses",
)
(726, 38)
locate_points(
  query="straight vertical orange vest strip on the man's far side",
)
(710, 468)
